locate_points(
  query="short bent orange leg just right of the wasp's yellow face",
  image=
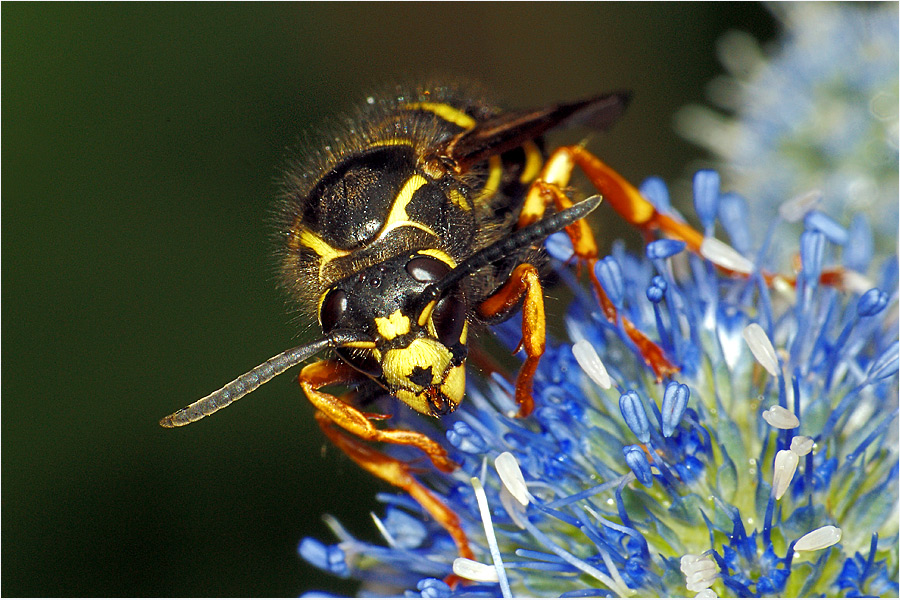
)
(523, 283)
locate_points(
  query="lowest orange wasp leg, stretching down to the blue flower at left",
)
(397, 473)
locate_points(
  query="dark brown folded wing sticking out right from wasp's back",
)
(510, 130)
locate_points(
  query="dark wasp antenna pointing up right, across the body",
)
(504, 247)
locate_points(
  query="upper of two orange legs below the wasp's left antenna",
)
(333, 371)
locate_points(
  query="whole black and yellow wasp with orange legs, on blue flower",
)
(421, 221)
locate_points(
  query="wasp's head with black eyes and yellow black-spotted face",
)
(420, 347)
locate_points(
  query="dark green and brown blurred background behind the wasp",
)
(141, 144)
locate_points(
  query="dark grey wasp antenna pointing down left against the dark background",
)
(257, 376)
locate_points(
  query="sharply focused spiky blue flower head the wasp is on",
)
(767, 467)
